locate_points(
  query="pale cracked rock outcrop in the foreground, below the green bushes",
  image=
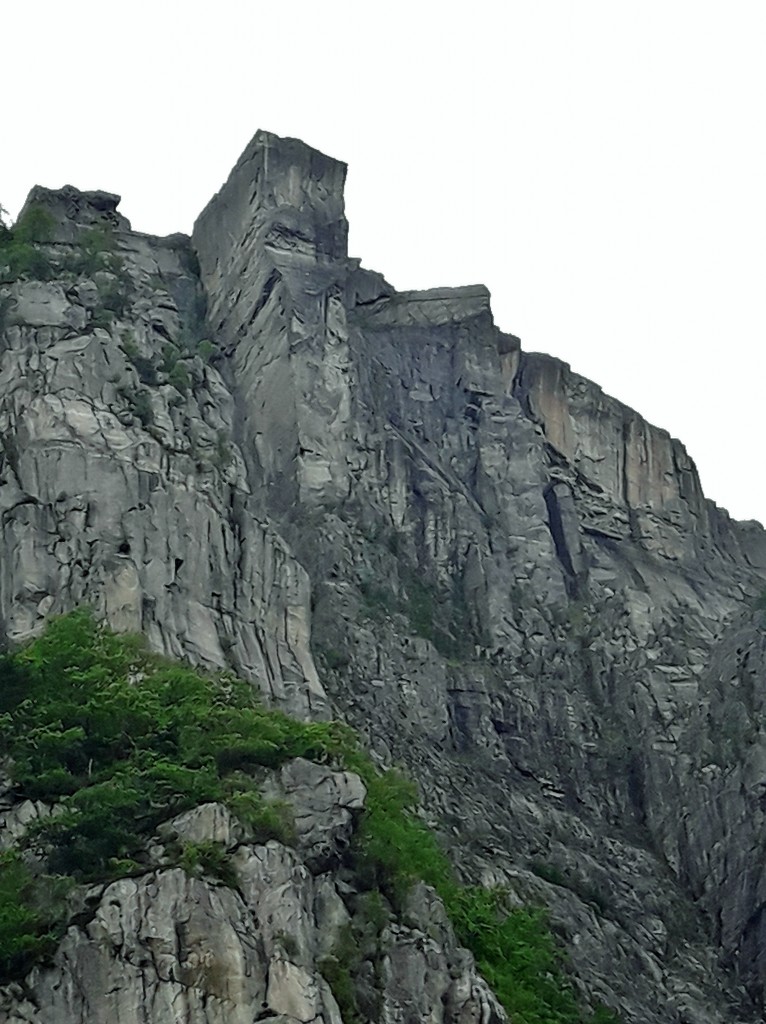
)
(166, 947)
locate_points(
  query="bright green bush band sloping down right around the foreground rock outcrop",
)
(123, 741)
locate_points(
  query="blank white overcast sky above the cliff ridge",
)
(600, 164)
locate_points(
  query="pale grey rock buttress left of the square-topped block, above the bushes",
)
(120, 483)
